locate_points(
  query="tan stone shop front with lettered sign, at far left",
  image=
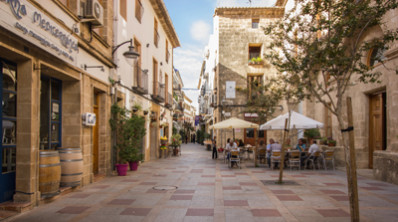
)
(55, 63)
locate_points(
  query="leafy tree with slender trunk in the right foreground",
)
(318, 48)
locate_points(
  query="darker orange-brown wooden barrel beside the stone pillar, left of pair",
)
(49, 173)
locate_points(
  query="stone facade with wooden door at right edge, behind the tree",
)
(375, 111)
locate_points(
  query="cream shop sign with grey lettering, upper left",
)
(25, 20)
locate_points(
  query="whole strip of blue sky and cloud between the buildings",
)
(193, 22)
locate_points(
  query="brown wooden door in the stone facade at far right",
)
(376, 125)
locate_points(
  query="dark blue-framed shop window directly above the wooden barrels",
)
(50, 113)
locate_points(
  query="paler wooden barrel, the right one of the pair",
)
(71, 166)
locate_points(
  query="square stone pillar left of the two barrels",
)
(27, 133)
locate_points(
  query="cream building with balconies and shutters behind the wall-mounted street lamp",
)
(148, 82)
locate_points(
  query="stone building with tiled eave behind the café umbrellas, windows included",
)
(240, 41)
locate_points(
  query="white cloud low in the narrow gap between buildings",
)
(188, 61)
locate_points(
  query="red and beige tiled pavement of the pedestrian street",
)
(207, 190)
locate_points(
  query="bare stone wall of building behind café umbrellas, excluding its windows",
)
(235, 36)
